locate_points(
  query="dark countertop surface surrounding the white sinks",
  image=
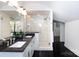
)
(9, 49)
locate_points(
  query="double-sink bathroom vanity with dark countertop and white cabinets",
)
(24, 48)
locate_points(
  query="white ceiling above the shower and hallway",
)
(64, 11)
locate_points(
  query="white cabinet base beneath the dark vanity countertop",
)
(28, 51)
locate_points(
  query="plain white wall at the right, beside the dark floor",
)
(72, 36)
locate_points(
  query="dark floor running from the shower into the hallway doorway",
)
(59, 50)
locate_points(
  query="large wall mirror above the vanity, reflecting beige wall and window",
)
(10, 22)
